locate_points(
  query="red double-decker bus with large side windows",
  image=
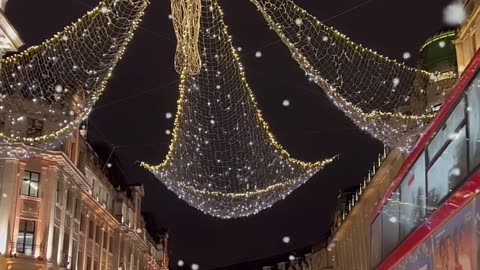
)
(430, 216)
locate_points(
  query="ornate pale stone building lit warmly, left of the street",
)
(60, 210)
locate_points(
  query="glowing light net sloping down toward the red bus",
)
(377, 93)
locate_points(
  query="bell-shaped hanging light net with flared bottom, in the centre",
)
(223, 160)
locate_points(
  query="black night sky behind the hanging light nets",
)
(131, 114)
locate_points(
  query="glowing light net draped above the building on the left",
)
(47, 90)
